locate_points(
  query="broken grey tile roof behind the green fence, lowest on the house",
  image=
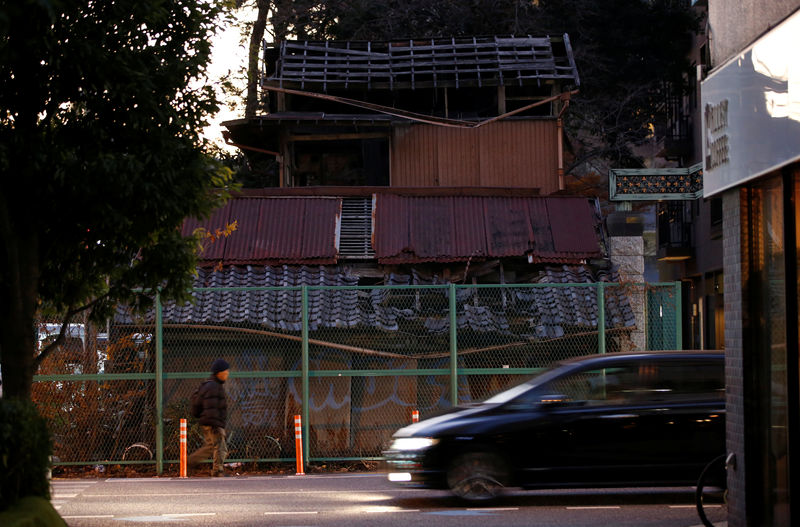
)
(264, 296)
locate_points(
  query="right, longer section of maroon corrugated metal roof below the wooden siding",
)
(552, 229)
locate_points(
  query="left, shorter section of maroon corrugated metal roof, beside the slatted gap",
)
(273, 230)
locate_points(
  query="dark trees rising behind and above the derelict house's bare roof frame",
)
(627, 52)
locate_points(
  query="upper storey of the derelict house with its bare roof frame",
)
(456, 112)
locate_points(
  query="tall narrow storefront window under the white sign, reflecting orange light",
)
(767, 311)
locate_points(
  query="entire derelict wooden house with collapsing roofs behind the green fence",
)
(403, 163)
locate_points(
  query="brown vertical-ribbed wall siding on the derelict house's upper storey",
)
(504, 154)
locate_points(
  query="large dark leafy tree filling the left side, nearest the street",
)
(102, 159)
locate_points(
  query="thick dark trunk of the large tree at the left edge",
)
(20, 217)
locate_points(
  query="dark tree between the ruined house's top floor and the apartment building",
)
(630, 54)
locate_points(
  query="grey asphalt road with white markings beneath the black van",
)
(353, 500)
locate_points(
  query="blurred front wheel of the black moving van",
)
(477, 476)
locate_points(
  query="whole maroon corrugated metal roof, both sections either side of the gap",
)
(408, 229)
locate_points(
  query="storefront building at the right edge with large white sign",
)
(751, 148)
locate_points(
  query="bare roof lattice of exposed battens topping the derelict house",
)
(422, 63)
